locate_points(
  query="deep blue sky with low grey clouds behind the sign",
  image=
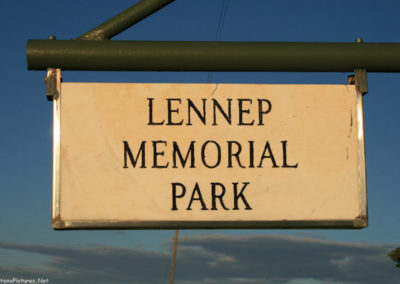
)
(30, 248)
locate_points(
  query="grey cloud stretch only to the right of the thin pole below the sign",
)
(282, 259)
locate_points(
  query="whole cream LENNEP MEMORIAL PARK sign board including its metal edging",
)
(208, 156)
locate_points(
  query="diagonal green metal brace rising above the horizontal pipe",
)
(125, 19)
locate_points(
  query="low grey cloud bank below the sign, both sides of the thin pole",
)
(216, 259)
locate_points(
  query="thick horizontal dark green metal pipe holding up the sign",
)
(212, 56)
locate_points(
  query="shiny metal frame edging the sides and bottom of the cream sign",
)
(59, 223)
